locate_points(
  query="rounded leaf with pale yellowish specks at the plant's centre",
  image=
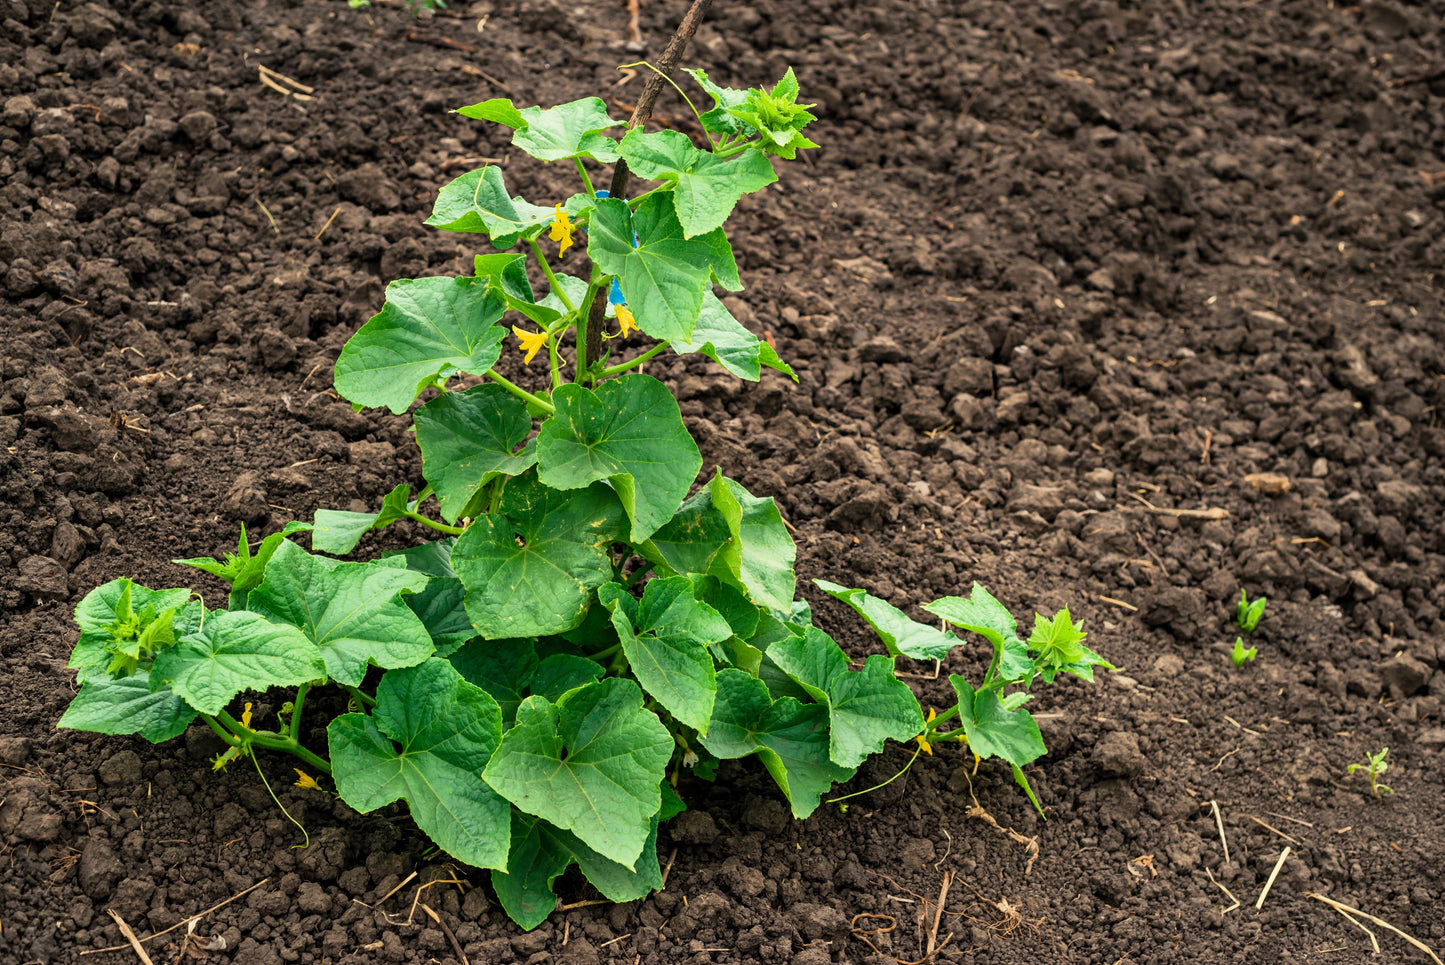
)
(531, 567)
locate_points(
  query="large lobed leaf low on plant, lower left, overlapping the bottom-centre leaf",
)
(447, 730)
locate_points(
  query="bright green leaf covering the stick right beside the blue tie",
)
(664, 275)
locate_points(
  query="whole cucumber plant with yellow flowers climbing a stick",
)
(585, 626)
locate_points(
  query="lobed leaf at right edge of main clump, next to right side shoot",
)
(865, 707)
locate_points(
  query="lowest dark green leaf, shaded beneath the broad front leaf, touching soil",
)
(543, 852)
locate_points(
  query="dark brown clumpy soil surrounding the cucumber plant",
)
(1056, 265)
